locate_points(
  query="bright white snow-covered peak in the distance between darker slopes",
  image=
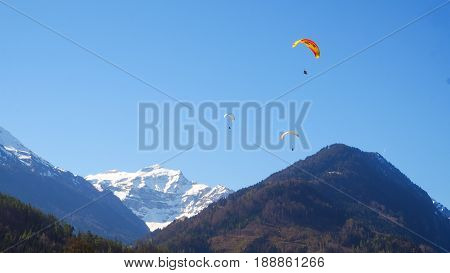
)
(158, 195)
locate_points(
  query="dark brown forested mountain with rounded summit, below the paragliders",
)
(301, 209)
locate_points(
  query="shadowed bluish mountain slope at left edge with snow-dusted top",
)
(33, 180)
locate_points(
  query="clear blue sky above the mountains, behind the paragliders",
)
(81, 114)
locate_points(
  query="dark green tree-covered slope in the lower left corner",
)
(26, 229)
